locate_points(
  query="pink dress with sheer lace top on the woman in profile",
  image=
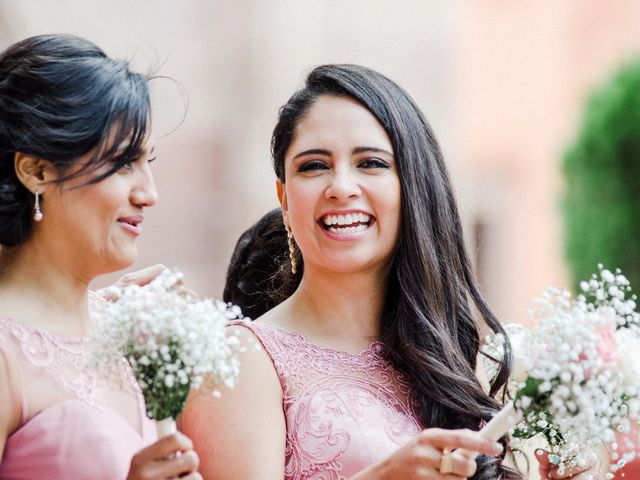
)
(69, 428)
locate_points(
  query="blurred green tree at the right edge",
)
(602, 171)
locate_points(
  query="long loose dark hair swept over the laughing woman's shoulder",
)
(428, 326)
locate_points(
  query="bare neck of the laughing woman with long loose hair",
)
(342, 307)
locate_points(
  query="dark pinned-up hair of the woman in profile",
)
(62, 97)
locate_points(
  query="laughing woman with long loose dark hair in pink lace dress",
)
(368, 369)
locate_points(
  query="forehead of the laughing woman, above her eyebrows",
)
(336, 120)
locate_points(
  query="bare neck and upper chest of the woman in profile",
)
(39, 289)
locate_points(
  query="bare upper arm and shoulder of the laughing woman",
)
(226, 430)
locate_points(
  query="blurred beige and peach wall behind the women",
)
(502, 83)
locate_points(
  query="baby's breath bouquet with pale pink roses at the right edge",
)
(577, 374)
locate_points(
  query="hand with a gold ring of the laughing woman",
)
(422, 457)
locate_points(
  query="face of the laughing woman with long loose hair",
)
(347, 192)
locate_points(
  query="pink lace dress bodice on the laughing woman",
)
(343, 411)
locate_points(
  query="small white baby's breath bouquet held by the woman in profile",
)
(172, 342)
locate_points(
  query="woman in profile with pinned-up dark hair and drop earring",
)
(75, 178)
